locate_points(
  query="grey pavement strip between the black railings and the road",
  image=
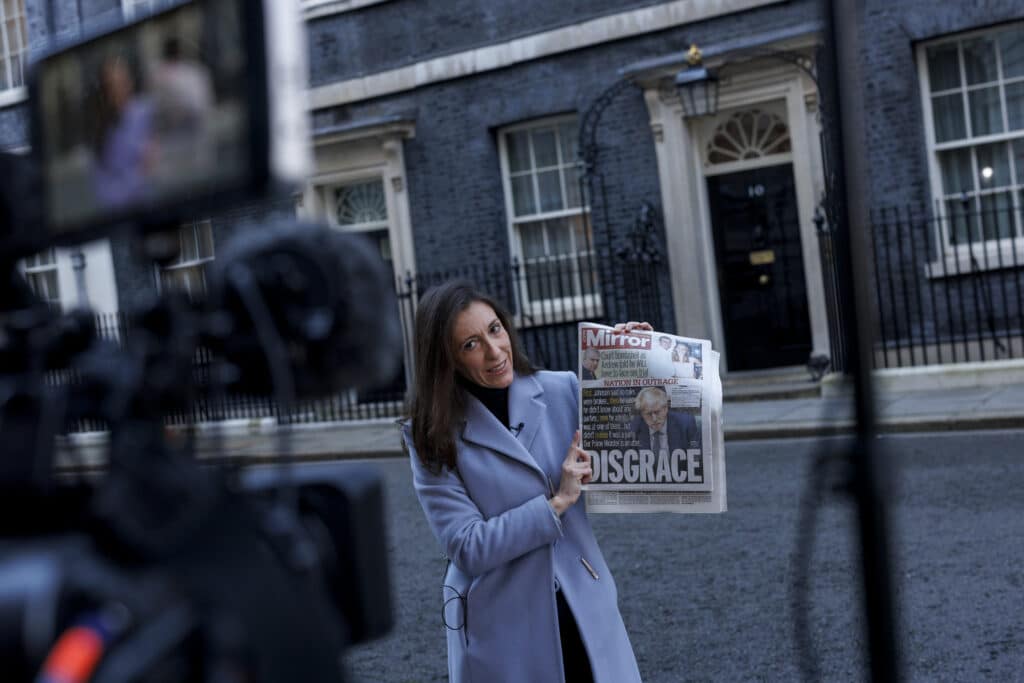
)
(905, 401)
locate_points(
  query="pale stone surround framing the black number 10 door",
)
(681, 147)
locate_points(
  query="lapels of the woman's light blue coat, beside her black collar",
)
(526, 408)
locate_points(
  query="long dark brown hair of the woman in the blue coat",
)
(437, 403)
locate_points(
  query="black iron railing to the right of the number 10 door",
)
(949, 285)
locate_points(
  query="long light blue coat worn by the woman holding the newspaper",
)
(509, 550)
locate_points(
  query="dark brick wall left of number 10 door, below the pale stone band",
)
(454, 178)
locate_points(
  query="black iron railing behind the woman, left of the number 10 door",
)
(546, 297)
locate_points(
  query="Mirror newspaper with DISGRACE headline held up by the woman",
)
(651, 413)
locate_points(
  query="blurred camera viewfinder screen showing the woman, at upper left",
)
(150, 116)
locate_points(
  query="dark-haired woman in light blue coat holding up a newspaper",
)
(497, 466)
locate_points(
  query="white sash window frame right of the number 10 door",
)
(973, 255)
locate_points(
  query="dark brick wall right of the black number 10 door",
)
(911, 305)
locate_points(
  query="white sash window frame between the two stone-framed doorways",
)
(563, 310)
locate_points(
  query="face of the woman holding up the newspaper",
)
(483, 349)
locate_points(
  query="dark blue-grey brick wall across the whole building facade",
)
(453, 172)
